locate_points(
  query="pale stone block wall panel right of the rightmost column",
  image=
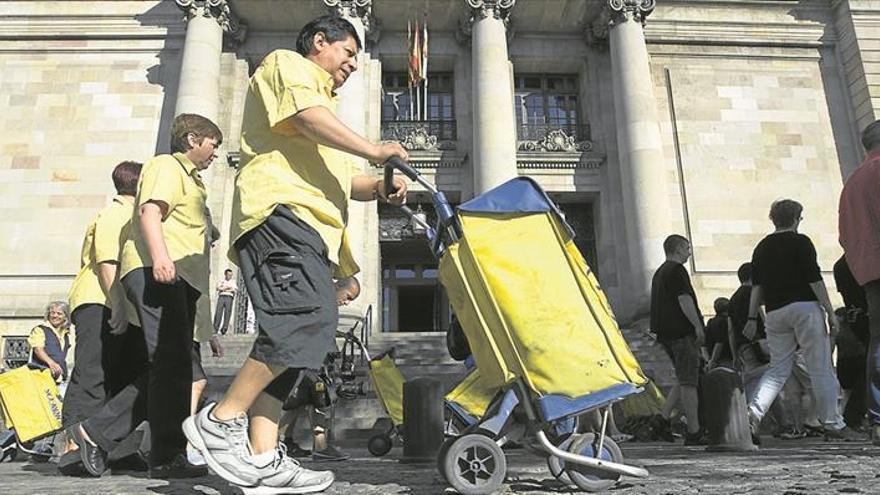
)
(741, 132)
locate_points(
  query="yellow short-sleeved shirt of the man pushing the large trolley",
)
(279, 165)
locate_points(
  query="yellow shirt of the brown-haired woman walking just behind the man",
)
(174, 180)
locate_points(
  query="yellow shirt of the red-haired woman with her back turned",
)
(102, 243)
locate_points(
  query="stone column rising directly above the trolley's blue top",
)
(494, 158)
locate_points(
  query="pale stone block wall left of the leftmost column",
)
(75, 104)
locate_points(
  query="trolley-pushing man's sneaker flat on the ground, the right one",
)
(285, 475)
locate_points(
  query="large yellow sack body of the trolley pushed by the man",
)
(531, 307)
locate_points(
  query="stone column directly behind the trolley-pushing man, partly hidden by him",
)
(353, 110)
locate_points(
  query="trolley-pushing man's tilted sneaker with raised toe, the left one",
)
(224, 445)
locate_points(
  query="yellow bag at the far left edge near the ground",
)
(30, 402)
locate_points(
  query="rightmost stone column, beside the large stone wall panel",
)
(640, 149)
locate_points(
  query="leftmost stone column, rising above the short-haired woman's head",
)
(199, 88)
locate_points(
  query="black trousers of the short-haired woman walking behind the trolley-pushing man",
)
(161, 391)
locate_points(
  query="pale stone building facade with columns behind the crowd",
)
(639, 117)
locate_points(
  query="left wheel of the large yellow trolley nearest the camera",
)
(475, 465)
